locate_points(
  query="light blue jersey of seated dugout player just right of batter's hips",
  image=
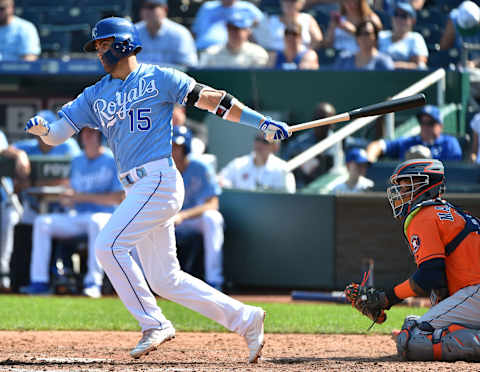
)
(200, 184)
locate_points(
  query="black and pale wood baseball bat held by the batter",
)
(371, 110)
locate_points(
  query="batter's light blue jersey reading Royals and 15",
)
(134, 114)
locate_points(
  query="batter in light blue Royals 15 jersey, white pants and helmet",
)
(132, 105)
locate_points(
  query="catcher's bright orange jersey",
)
(429, 229)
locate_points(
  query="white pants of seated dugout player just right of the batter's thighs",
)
(210, 225)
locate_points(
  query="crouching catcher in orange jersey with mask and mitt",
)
(445, 242)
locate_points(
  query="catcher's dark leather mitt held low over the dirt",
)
(369, 301)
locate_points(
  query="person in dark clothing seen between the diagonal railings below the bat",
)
(320, 164)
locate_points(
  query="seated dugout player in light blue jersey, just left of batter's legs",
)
(93, 193)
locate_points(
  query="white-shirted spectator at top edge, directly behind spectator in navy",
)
(270, 32)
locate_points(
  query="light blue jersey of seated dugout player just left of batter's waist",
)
(97, 175)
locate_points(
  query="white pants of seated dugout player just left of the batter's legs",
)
(65, 225)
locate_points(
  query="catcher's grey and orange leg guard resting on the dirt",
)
(451, 343)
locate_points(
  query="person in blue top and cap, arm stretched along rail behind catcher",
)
(442, 146)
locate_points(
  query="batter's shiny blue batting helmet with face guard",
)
(123, 31)
